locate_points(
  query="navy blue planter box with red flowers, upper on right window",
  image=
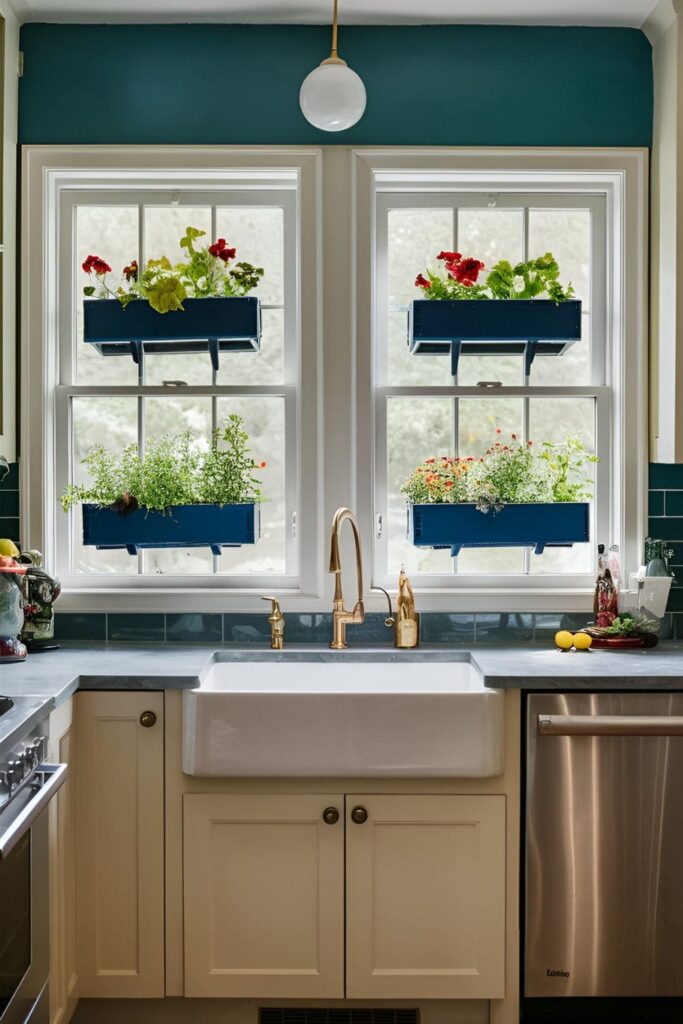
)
(493, 327)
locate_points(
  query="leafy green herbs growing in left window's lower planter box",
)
(173, 472)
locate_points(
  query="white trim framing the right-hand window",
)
(622, 176)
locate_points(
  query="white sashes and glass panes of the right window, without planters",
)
(420, 411)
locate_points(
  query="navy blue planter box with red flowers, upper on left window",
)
(221, 325)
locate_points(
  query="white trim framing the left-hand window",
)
(49, 172)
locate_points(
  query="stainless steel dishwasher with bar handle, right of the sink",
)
(604, 881)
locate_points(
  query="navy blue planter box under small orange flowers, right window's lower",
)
(527, 526)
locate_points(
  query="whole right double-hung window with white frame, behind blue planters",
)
(417, 410)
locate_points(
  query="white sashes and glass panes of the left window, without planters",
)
(105, 400)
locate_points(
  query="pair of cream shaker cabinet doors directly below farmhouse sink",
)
(420, 881)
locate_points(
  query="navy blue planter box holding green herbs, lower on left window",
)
(215, 527)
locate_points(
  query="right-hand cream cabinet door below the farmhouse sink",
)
(426, 898)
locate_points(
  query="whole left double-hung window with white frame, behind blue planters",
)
(112, 401)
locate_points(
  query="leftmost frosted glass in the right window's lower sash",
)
(417, 430)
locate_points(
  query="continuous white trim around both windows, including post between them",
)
(336, 227)
